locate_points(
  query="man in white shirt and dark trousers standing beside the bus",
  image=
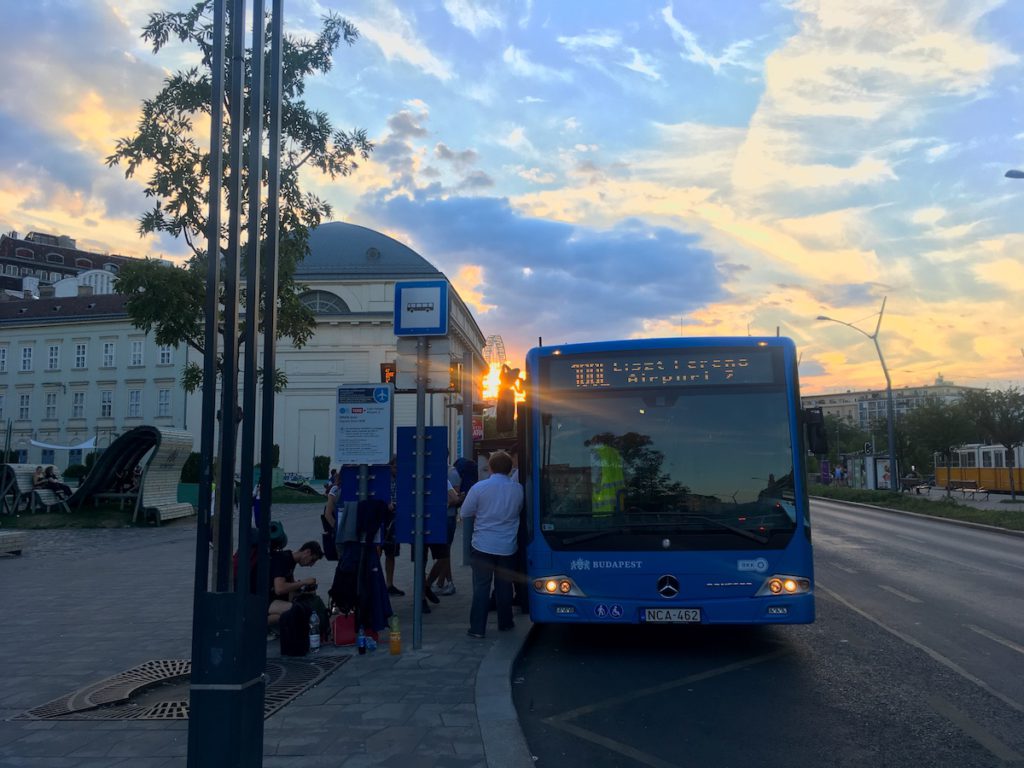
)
(495, 503)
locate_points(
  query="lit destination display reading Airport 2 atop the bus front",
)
(663, 369)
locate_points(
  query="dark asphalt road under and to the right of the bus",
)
(917, 659)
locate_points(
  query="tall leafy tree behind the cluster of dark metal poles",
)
(169, 302)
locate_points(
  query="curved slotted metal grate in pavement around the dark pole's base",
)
(159, 691)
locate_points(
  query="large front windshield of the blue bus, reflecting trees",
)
(667, 468)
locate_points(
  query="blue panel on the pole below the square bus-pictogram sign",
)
(436, 486)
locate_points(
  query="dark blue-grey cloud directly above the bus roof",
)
(548, 279)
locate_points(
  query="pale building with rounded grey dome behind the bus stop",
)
(352, 273)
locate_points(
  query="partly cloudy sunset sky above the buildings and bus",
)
(585, 170)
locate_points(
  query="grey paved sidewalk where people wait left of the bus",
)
(83, 606)
